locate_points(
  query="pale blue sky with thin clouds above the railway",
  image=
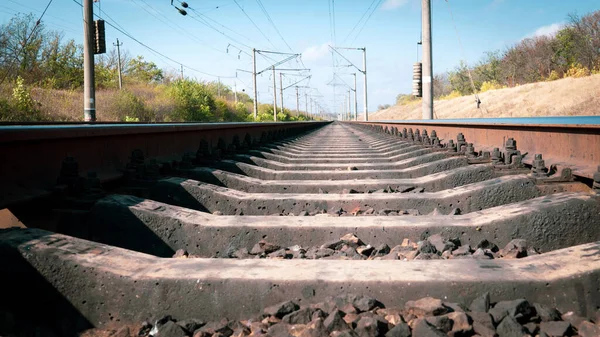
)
(390, 36)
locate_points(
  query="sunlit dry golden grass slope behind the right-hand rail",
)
(564, 97)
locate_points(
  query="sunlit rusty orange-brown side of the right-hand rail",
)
(565, 145)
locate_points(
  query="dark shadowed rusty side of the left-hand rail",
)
(31, 156)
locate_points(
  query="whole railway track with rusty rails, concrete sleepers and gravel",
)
(301, 229)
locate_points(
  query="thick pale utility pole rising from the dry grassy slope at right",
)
(427, 60)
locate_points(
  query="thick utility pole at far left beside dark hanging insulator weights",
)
(89, 89)
